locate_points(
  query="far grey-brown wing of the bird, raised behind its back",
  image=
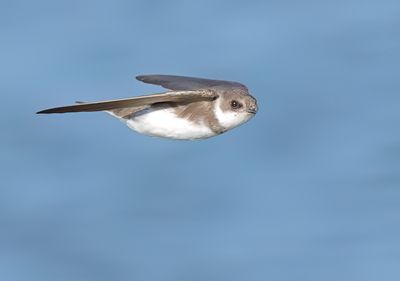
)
(179, 83)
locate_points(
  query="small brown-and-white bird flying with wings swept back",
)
(192, 108)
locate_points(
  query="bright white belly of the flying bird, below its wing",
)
(164, 123)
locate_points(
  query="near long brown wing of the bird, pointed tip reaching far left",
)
(176, 96)
